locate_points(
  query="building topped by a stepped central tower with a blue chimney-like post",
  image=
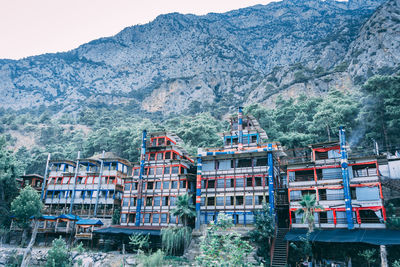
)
(238, 177)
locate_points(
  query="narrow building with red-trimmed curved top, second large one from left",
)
(164, 173)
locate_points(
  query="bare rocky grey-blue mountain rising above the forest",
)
(183, 63)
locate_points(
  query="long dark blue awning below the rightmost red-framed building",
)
(369, 236)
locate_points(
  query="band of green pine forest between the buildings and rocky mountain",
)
(371, 114)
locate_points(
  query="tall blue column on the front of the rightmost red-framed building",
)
(346, 179)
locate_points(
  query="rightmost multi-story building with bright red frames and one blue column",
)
(347, 187)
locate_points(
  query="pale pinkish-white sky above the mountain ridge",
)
(32, 27)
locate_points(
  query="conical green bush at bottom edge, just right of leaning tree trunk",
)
(58, 255)
